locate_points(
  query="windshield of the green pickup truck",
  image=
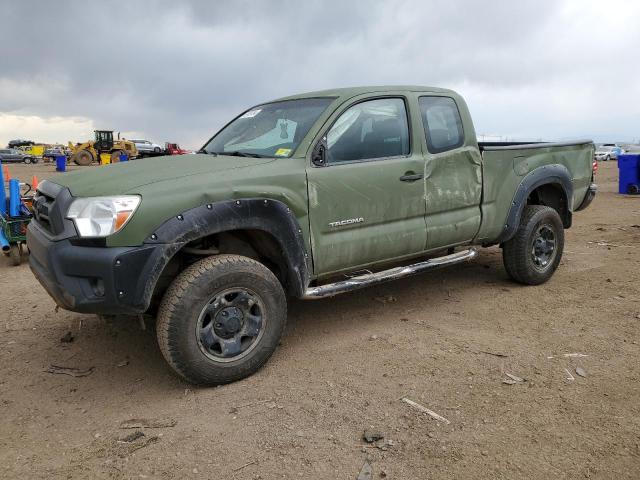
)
(269, 130)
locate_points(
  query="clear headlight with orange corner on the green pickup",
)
(102, 216)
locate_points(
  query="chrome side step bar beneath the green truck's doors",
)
(362, 281)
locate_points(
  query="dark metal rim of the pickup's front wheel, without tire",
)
(231, 324)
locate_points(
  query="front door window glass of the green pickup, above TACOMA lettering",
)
(371, 129)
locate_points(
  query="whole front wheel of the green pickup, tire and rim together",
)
(221, 319)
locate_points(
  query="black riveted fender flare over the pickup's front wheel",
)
(271, 216)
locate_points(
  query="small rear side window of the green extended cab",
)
(442, 123)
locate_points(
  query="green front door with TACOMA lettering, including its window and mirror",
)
(366, 201)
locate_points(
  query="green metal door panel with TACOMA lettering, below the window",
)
(361, 213)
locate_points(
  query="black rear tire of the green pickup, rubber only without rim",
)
(517, 252)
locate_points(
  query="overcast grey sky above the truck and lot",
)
(178, 70)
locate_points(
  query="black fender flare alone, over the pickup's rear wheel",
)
(557, 175)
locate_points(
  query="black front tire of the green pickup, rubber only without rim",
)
(184, 300)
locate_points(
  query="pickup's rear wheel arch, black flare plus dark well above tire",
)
(549, 185)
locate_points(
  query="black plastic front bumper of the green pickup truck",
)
(101, 280)
